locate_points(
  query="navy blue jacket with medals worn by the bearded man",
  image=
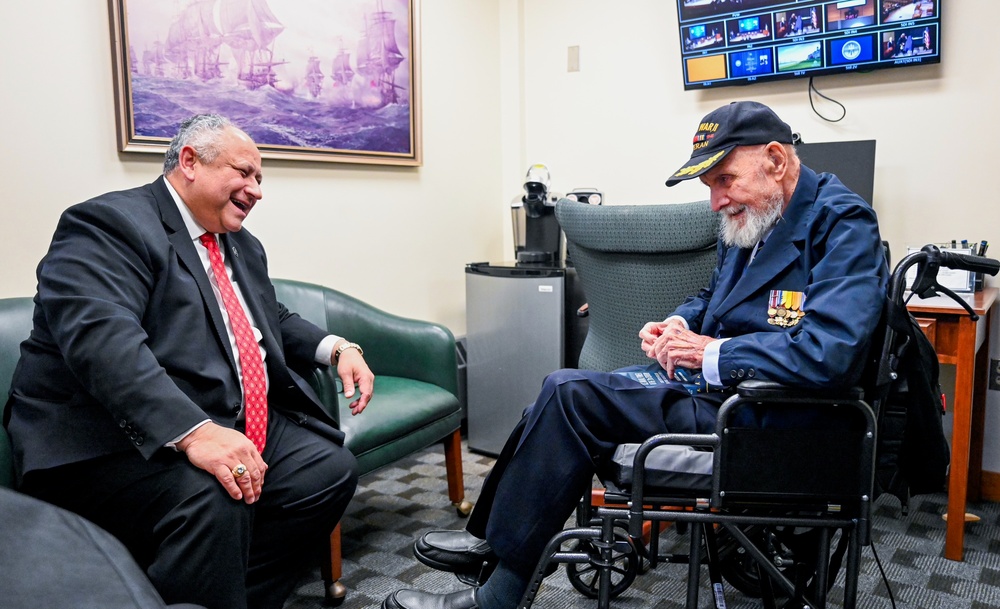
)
(827, 247)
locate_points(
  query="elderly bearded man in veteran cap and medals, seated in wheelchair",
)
(796, 294)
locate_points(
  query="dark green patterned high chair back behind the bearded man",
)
(636, 263)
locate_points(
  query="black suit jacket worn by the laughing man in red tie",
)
(129, 349)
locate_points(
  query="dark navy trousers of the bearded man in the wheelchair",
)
(550, 457)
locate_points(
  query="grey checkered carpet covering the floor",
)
(395, 505)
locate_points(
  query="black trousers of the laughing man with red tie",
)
(196, 543)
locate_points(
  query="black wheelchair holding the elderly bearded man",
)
(774, 510)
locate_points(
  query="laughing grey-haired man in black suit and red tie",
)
(157, 342)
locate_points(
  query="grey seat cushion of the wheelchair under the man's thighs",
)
(675, 468)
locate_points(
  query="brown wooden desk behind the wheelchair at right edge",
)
(964, 343)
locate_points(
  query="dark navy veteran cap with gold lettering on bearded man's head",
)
(742, 123)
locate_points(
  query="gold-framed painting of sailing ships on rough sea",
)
(307, 79)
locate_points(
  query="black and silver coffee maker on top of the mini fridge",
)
(537, 236)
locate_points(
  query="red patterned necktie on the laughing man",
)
(254, 383)
